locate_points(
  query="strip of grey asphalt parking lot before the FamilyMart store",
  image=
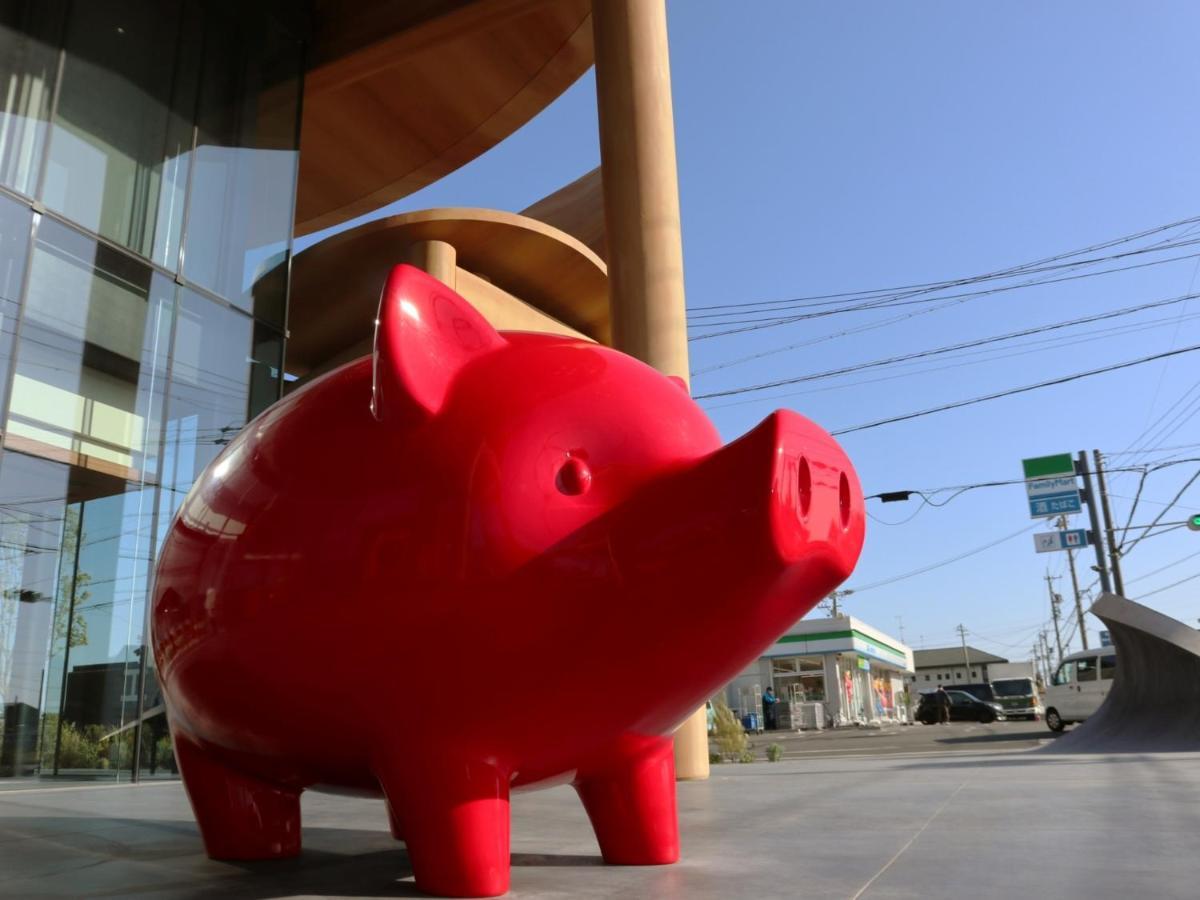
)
(891, 740)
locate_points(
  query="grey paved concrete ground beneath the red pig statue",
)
(974, 825)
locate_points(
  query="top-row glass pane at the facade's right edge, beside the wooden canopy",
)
(241, 212)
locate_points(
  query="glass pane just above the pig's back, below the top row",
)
(209, 391)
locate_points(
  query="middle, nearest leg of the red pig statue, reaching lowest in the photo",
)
(454, 818)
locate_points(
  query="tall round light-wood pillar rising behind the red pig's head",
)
(641, 205)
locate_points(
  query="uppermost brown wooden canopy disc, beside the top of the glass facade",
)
(401, 93)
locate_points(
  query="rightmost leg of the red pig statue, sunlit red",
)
(632, 805)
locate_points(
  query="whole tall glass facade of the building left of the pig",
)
(148, 163)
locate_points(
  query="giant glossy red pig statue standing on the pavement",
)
(472, 565)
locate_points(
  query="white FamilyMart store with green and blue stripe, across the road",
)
(839, 670)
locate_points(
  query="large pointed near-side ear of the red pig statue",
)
(425, 334)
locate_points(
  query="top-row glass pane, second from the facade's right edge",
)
(123, 134)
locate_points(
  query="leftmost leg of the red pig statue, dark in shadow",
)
(241, 818)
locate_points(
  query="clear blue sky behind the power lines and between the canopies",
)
(848, 147)
